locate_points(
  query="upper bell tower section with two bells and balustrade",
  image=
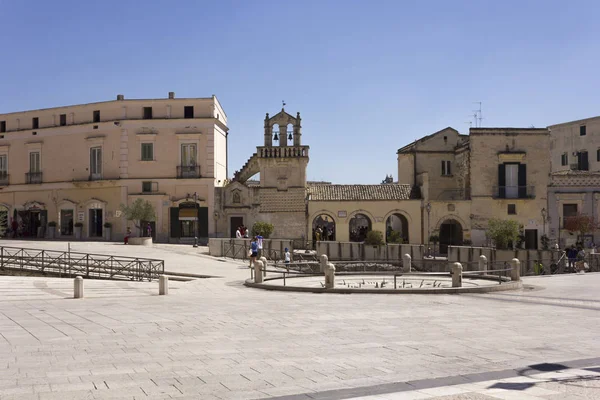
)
(283, 166)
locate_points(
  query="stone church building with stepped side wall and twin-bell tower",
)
(280, 196)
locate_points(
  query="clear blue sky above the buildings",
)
(368, 77)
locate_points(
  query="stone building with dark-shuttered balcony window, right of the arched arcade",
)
(466, 180)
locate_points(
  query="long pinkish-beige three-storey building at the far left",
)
(78, 164)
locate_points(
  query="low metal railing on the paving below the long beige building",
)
(68, 264)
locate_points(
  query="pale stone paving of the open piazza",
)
(216, 339)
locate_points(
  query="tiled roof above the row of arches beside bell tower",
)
(389, 191)
